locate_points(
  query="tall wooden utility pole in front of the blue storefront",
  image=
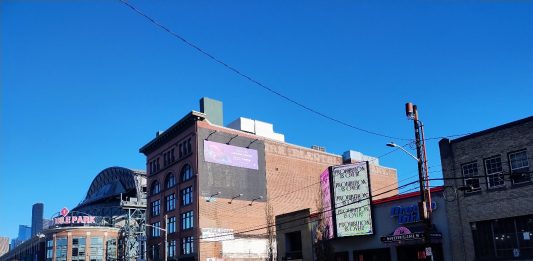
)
(425, 196)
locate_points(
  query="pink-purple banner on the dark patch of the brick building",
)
(230, 155)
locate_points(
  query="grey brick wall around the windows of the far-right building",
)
(509, 201)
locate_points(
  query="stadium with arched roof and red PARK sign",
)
(107, 225)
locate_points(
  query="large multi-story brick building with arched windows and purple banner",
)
(214, 189)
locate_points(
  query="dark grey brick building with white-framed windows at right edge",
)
(493, 218)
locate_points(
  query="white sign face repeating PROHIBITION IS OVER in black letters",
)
(351, 196)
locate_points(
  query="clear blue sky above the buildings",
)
(86, 83)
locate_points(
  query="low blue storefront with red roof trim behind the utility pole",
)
(398, 232)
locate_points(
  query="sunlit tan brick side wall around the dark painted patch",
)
(293, 175)
